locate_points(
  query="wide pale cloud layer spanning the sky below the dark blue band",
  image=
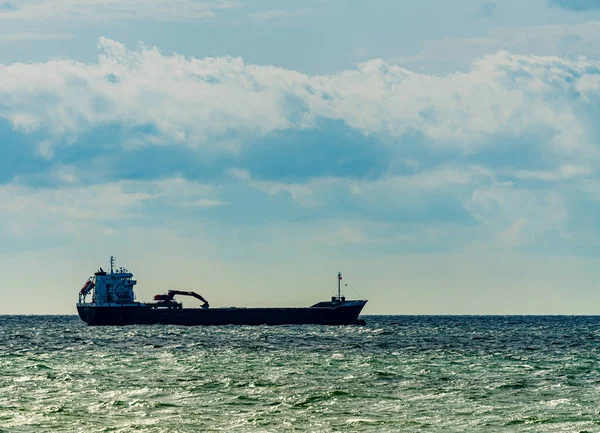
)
(431, 210)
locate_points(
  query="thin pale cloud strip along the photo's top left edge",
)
(109, 10)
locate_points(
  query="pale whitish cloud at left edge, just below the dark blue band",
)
(73, 209)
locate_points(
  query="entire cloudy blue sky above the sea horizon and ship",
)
(444, 156)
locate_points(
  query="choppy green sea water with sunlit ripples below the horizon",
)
(397, 374)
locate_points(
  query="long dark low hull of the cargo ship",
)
(146, 315)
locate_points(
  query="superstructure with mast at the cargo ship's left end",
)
(109, 288)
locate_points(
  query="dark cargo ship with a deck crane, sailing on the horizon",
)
(113, 302)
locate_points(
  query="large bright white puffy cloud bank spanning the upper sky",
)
(190, 100)
